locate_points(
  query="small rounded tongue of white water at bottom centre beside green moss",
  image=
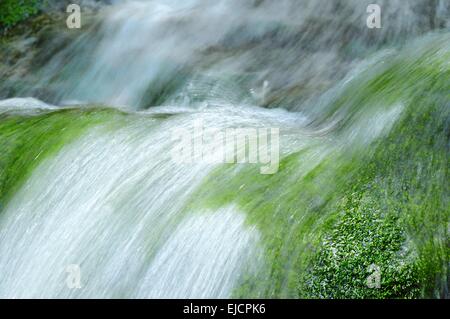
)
(212, 251)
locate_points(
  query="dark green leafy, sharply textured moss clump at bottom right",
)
(368, 233)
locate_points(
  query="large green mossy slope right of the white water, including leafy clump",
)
(396, 209)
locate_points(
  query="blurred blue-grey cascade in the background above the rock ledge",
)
(145, 53)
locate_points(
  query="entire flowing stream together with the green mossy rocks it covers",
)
(87, 176)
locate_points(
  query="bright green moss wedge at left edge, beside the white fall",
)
(25, 140)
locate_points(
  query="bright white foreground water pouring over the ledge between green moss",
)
(114, 203)
